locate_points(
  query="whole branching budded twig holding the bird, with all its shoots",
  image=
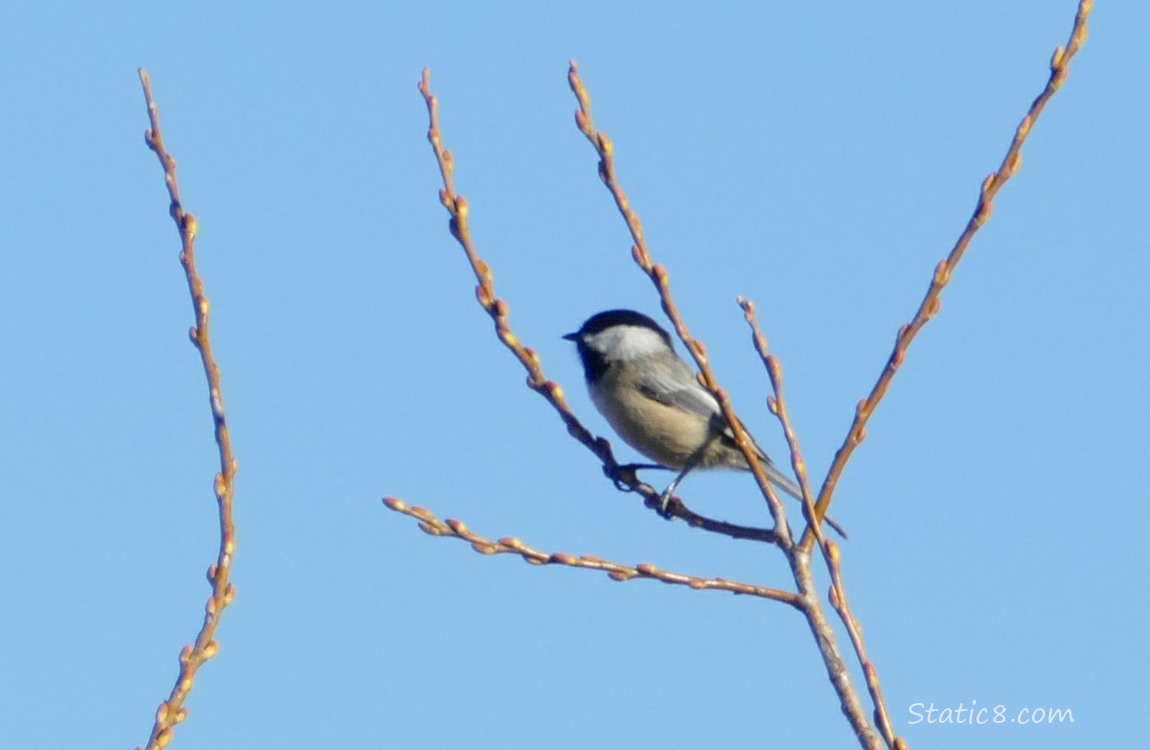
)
(806, 600)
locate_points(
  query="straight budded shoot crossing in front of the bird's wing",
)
(660, 278)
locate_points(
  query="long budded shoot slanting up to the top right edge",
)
(1060, 66)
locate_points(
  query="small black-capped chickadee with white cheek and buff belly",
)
(651, 399)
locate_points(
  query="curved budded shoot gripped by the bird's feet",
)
(497, 310)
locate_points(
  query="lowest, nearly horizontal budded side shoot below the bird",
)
(616, 571)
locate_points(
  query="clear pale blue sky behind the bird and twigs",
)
(817, 158)
